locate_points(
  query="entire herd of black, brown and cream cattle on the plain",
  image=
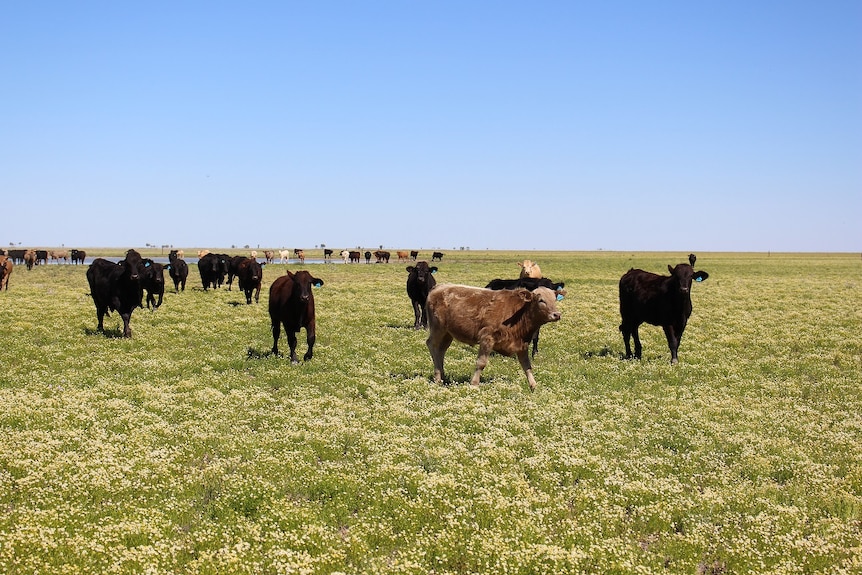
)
(504, 317)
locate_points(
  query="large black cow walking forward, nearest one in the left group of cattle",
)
(116, 287)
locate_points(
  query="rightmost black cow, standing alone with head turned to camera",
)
(657, 300)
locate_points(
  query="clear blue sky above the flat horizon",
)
(570, 125)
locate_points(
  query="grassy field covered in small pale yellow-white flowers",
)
(189, 449)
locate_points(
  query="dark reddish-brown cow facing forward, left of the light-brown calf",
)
(291, 303)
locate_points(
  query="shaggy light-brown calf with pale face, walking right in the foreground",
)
(498, 321)
